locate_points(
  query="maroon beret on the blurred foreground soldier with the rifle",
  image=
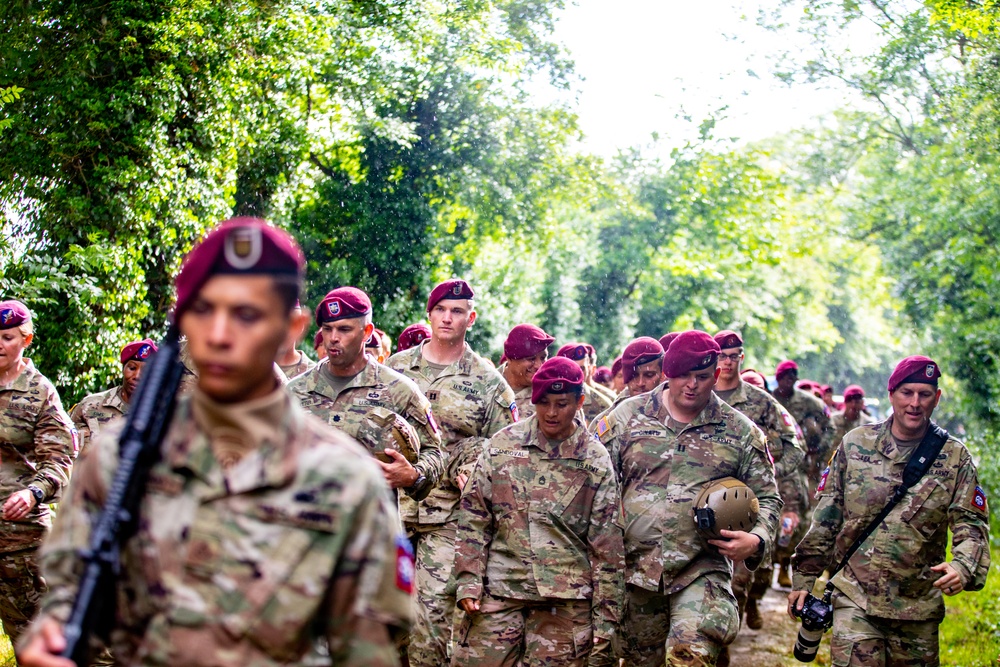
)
(237, 246)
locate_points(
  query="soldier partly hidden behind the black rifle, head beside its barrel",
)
(98, 410)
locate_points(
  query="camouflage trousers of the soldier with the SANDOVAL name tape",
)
(507, 632)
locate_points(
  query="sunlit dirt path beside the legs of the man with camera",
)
(771, 646)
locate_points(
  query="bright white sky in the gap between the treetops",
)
(644, 63)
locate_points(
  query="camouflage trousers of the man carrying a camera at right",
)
(861, 640)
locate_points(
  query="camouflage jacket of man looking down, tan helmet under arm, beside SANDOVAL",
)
(661, 473)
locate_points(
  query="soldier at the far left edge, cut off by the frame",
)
(37, 446)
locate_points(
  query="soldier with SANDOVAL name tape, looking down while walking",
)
(554, 573)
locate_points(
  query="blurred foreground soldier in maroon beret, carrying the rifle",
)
(263, 531)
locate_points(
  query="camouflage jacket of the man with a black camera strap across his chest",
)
(889, 576)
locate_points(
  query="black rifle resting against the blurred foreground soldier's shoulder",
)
(138, 450)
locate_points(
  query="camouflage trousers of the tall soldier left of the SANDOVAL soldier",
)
(430, 636)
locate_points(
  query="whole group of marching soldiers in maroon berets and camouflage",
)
(429, 508)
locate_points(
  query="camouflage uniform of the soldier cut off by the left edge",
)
(37, 446)
